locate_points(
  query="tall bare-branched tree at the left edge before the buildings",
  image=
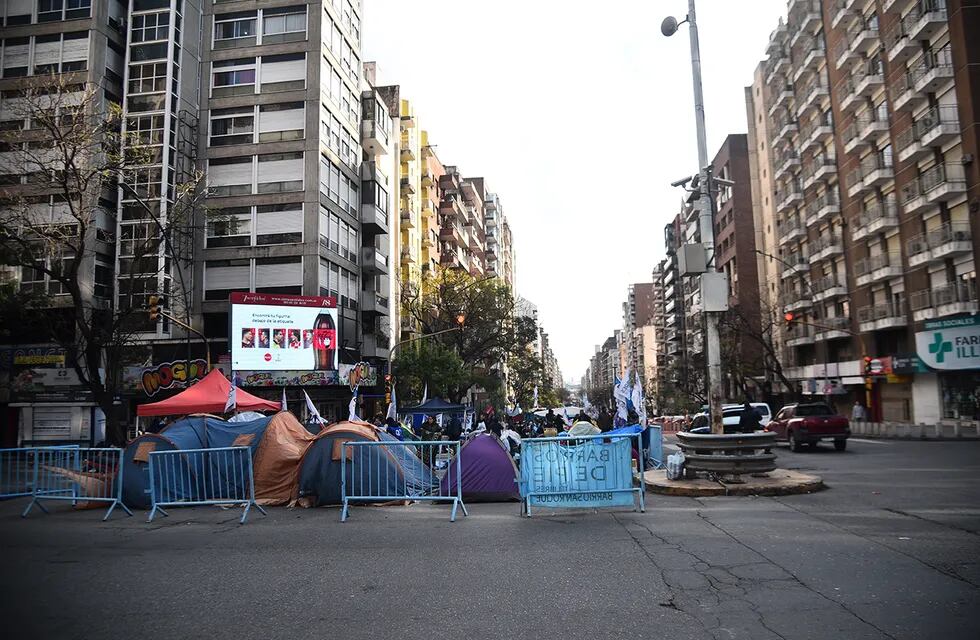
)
(60, 178)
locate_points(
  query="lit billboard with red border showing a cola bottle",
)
(278, 332)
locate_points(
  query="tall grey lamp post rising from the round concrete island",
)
(712, 345)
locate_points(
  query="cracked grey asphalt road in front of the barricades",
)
(889, 551)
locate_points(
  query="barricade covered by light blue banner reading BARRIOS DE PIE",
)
(580, 472)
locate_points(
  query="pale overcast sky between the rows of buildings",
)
(579, 115)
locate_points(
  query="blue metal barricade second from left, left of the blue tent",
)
(82, 476)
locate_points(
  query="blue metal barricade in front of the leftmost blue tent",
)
(192, 477)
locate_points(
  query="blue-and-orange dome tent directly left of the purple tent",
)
(381, 471)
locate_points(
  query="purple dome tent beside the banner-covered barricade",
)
(488, 472)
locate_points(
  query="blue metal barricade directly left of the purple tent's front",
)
(388, 471)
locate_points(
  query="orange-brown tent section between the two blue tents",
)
(276, 464)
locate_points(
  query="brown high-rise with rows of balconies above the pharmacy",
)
(864, 116)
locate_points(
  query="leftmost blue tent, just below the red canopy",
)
(195, 432)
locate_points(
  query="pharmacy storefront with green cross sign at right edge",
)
(950, 349)
